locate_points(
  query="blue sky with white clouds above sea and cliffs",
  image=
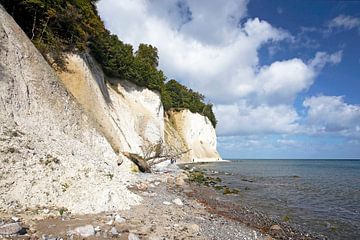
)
(284, 76)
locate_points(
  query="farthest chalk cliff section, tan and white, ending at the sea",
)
(187, 130)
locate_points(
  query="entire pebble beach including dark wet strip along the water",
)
(172, 208)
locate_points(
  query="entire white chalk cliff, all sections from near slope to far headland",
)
(62, 133)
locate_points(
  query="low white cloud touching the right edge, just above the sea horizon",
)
(330, 114)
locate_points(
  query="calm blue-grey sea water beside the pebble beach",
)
(322, 196)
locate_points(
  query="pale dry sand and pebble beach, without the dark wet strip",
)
(166, 212)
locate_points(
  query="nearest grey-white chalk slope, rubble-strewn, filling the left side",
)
(51, 152)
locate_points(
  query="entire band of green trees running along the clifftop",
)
(60, 26)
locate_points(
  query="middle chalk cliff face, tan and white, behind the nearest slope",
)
(127, 115)
